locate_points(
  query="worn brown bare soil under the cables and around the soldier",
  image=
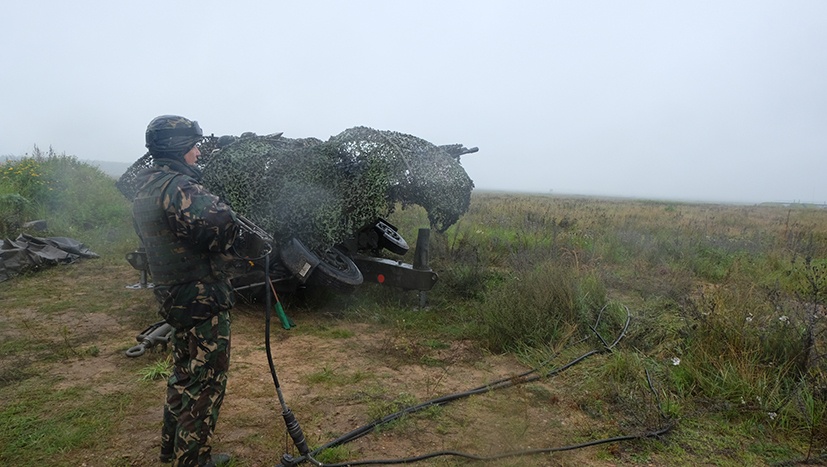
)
(336, 375)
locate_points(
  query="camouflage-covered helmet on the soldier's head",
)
(172, 136)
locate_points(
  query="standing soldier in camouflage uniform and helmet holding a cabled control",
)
(185, 230)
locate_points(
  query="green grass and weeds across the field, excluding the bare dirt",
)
(727, 304)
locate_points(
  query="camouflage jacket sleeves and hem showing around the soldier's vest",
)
(201, 222)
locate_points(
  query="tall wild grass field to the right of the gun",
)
(728, 301)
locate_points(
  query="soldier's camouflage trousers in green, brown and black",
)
(195, 390)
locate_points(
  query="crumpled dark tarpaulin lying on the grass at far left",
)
(28, 253)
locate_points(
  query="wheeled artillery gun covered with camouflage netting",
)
(324, 203)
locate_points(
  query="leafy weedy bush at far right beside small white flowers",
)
(741, 349)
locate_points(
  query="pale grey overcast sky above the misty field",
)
(687, 100)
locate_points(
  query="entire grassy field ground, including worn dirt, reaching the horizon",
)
(725, 343)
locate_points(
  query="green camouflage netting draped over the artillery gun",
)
(322, 192)
